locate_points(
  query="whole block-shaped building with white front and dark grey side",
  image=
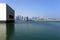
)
(6, 13)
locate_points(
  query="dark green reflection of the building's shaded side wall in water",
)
(10, 30)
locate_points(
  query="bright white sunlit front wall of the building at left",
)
(2, 12)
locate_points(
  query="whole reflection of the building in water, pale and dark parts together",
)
(6, 30)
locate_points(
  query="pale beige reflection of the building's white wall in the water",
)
(2, 31)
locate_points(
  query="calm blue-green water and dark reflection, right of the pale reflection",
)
(33, 31)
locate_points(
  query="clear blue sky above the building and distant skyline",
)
(35, 8)
